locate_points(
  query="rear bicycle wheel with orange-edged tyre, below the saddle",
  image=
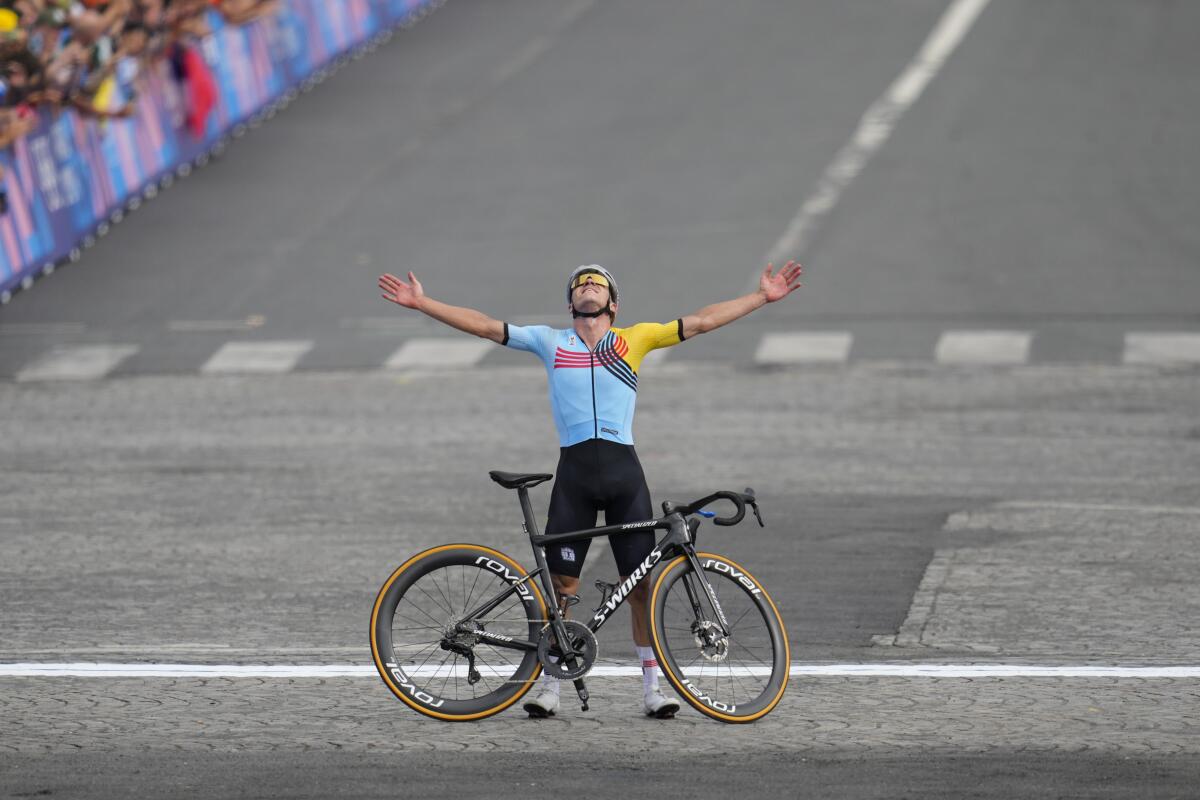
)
(453, 671)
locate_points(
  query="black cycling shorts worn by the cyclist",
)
(599, 476)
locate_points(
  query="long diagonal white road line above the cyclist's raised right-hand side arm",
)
(875, 128)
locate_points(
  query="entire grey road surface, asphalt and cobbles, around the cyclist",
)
(920, 514)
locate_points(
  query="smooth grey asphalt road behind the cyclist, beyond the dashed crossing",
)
(1045, 181)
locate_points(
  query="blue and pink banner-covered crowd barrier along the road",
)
(74, 177)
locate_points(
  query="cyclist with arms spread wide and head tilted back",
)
(592, 370)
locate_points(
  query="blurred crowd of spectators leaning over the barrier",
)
(76, 55)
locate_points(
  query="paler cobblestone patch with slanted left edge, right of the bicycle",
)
(1065, 581)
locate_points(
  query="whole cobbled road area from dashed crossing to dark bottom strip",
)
(149, 522)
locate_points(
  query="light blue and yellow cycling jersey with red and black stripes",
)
(593, 393)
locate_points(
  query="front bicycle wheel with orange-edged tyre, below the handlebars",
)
(736, 678)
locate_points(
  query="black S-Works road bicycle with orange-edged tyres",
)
(461, 633)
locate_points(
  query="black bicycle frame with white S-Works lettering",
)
(677, 539)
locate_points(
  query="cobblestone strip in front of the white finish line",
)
(1117, 717)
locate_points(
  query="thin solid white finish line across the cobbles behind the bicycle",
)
(797, 671)
